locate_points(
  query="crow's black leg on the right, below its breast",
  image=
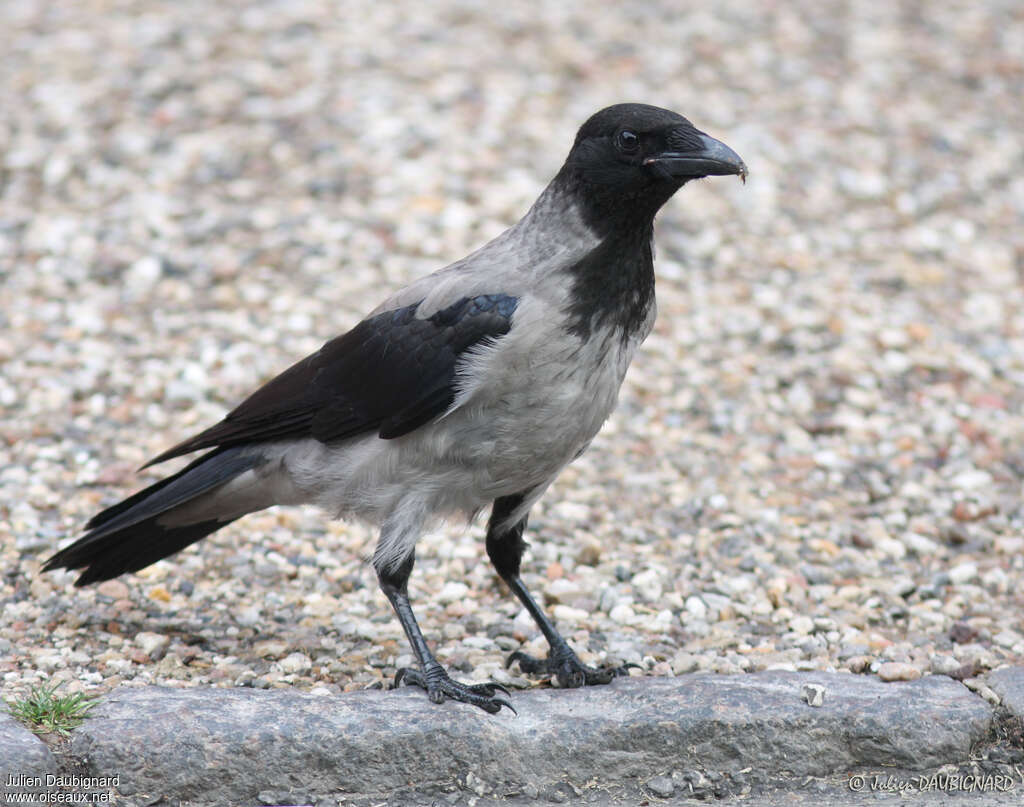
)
(505, 547)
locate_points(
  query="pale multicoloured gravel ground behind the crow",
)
(818, 459)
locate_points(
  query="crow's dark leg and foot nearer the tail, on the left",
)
(432, 676)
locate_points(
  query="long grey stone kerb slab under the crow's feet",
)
(231, 745)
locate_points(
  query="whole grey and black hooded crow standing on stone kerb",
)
(471, 388)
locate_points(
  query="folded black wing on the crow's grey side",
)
(392, 374)
